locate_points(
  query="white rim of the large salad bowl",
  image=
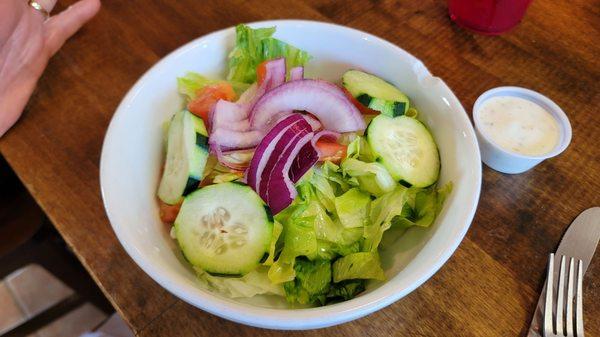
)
(291, 319)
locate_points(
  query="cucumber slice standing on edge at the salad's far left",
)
(187, 152)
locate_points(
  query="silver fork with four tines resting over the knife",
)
(562, 324)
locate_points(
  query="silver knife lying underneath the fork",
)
(580, 241)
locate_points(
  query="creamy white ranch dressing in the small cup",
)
(518, 125)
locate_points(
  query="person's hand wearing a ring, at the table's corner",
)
(27, 41)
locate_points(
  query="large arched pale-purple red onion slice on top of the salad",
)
(323, 99)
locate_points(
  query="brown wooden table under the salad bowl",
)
(490, 285)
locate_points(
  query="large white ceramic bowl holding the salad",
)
(132, 157)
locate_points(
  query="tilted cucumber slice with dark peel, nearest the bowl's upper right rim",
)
(376, 93)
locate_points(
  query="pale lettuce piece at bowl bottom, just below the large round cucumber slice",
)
(254, 283)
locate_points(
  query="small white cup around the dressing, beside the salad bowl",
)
(509, 161)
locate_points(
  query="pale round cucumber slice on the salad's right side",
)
(406, 148)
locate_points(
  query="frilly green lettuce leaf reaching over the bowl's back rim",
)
(253, 46)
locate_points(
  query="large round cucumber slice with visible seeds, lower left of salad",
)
(224, 229)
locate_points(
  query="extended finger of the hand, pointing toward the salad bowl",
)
(62, 26)
